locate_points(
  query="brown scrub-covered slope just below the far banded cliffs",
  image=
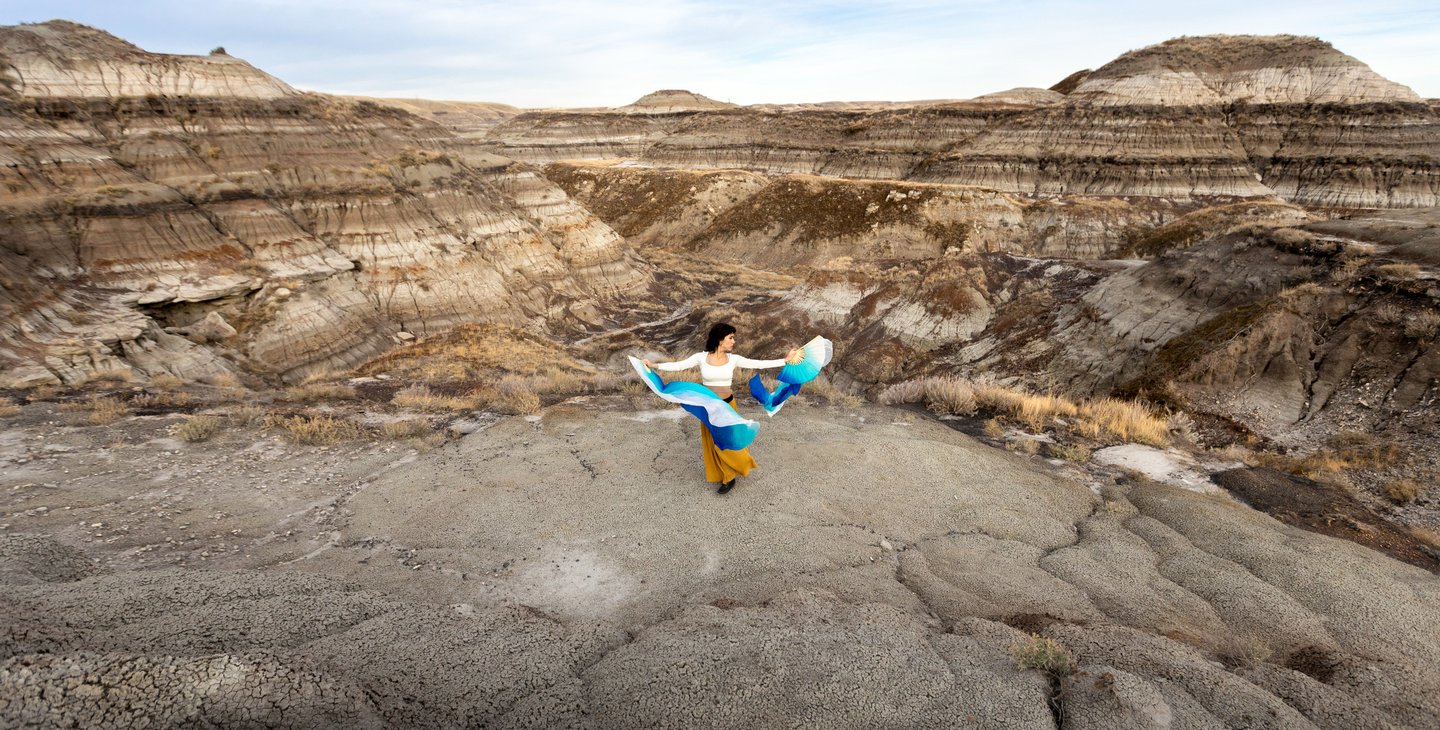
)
(798, 221)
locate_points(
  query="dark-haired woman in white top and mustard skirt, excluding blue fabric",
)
(718, 366)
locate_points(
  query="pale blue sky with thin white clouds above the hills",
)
(608, 54)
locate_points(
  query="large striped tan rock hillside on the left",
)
(319, 228)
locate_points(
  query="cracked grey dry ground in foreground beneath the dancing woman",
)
(572, 571)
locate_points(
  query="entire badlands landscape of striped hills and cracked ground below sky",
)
(315, 411)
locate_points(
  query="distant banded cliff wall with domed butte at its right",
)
(1197, 117)
